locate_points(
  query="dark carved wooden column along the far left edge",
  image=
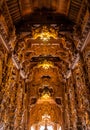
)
(3, 73)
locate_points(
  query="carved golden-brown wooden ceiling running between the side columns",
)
(44, 41)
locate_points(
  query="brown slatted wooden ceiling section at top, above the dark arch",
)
(70, 8)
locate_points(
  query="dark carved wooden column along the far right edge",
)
(86, 95)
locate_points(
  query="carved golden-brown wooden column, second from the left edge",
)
(6, 100)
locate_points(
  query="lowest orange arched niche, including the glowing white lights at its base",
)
(45, 116)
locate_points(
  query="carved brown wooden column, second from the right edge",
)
(82, 101)
